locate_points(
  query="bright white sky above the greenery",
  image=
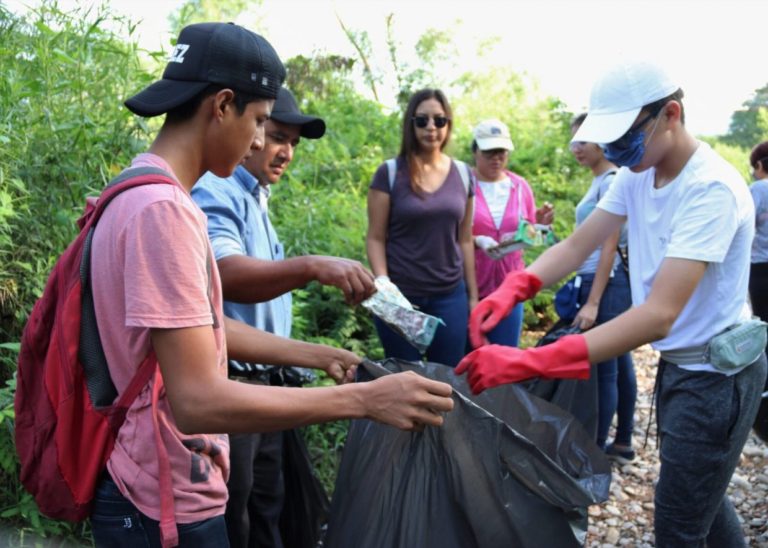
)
(713, 47)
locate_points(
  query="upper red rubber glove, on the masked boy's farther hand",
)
(518, 286)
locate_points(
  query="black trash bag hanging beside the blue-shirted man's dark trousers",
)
(306, 506)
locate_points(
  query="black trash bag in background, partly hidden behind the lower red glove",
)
(575, 396)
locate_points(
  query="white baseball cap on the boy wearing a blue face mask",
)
(619, 95)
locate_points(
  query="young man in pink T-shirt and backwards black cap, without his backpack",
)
(156, 288)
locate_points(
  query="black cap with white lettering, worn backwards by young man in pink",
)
(212, 53)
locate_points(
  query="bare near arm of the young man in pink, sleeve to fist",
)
(204, 400)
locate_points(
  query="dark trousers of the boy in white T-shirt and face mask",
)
(704, 420)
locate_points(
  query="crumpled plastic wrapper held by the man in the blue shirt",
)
(391, 306)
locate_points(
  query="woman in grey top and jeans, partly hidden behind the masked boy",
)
(604, 294)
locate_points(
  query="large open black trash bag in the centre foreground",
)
(506, 469)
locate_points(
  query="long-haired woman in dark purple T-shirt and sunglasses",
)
(420, 230)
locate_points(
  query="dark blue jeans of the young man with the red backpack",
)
(117, 523)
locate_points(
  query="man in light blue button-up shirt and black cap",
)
(257, 279)
